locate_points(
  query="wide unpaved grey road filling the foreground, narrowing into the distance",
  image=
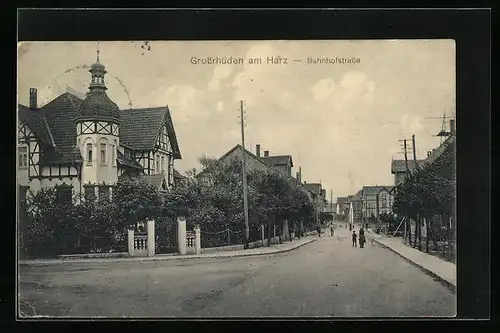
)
(325, 278)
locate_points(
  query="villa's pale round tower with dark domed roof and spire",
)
(97, 135)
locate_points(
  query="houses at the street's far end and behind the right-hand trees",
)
(373, 201)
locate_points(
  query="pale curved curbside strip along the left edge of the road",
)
(177, 257)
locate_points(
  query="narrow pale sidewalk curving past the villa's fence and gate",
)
(277, 248)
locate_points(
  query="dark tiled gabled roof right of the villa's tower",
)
(140, 128)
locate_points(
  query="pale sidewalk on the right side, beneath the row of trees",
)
(443, 270)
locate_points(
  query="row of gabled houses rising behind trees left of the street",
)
(282, 164)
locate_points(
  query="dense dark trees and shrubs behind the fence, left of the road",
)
(214, 202)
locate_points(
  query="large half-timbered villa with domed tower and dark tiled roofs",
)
(84, 146)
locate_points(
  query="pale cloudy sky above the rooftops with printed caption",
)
(340, 122)
